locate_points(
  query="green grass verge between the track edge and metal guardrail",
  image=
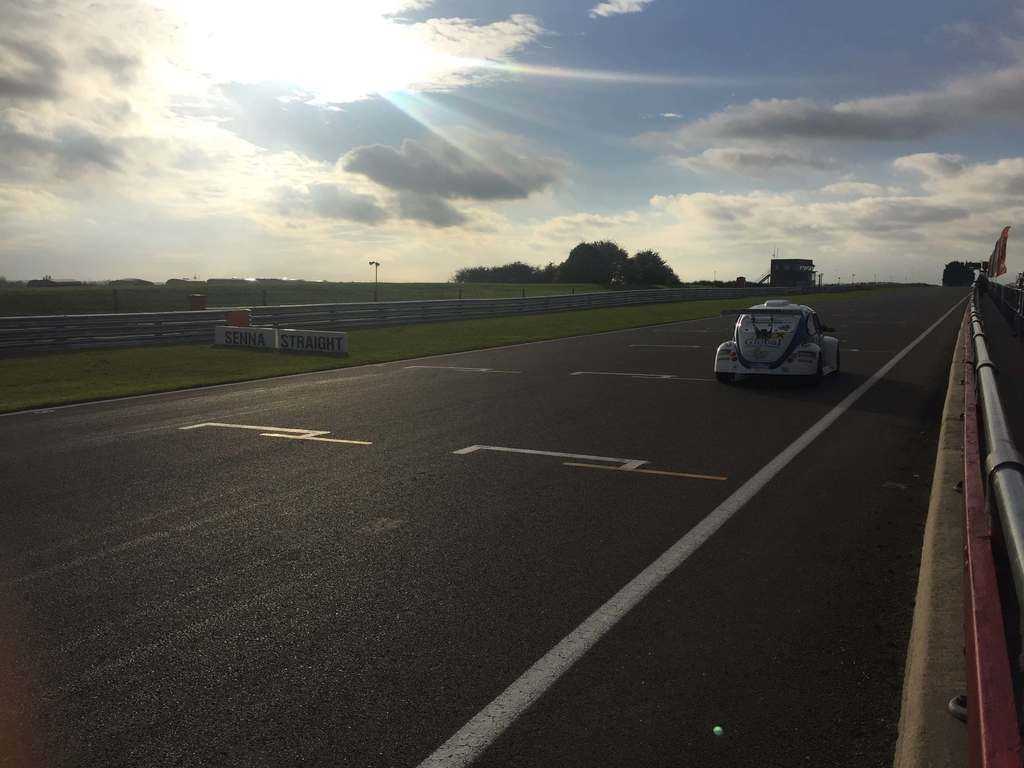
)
(55, 378)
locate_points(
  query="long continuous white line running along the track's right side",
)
(471, 742)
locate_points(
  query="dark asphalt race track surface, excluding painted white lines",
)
(212, 596)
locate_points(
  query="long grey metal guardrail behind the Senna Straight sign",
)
(80, 331)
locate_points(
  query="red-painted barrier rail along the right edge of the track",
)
(994, 735)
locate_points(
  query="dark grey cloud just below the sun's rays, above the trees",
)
(438, 168)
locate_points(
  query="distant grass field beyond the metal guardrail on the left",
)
(101, 300)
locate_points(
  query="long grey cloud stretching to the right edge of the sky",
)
(969, 101)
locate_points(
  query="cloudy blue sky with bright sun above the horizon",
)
(305, 139)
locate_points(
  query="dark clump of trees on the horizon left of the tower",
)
(603, 262)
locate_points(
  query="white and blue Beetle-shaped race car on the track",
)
(778, 338)
